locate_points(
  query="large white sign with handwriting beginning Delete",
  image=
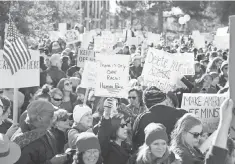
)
(161, 67)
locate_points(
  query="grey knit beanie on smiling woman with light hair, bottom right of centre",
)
(154, 131)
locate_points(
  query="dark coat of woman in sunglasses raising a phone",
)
(111, 152)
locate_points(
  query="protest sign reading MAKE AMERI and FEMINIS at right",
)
(205, 107)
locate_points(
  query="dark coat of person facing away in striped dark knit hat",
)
(165, 115)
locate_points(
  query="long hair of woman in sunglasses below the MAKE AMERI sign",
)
(183, 125)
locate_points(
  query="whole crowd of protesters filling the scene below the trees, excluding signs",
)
(60, 124)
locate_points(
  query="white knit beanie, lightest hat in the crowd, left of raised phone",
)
(79, 111)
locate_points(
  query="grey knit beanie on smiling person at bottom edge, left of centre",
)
(87, 141)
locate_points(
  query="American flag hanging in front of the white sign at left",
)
(14, 51)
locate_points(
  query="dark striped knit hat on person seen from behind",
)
(152, 96)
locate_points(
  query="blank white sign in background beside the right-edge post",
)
(222, 42)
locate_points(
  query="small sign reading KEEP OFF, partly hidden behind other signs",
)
(84, 55)
